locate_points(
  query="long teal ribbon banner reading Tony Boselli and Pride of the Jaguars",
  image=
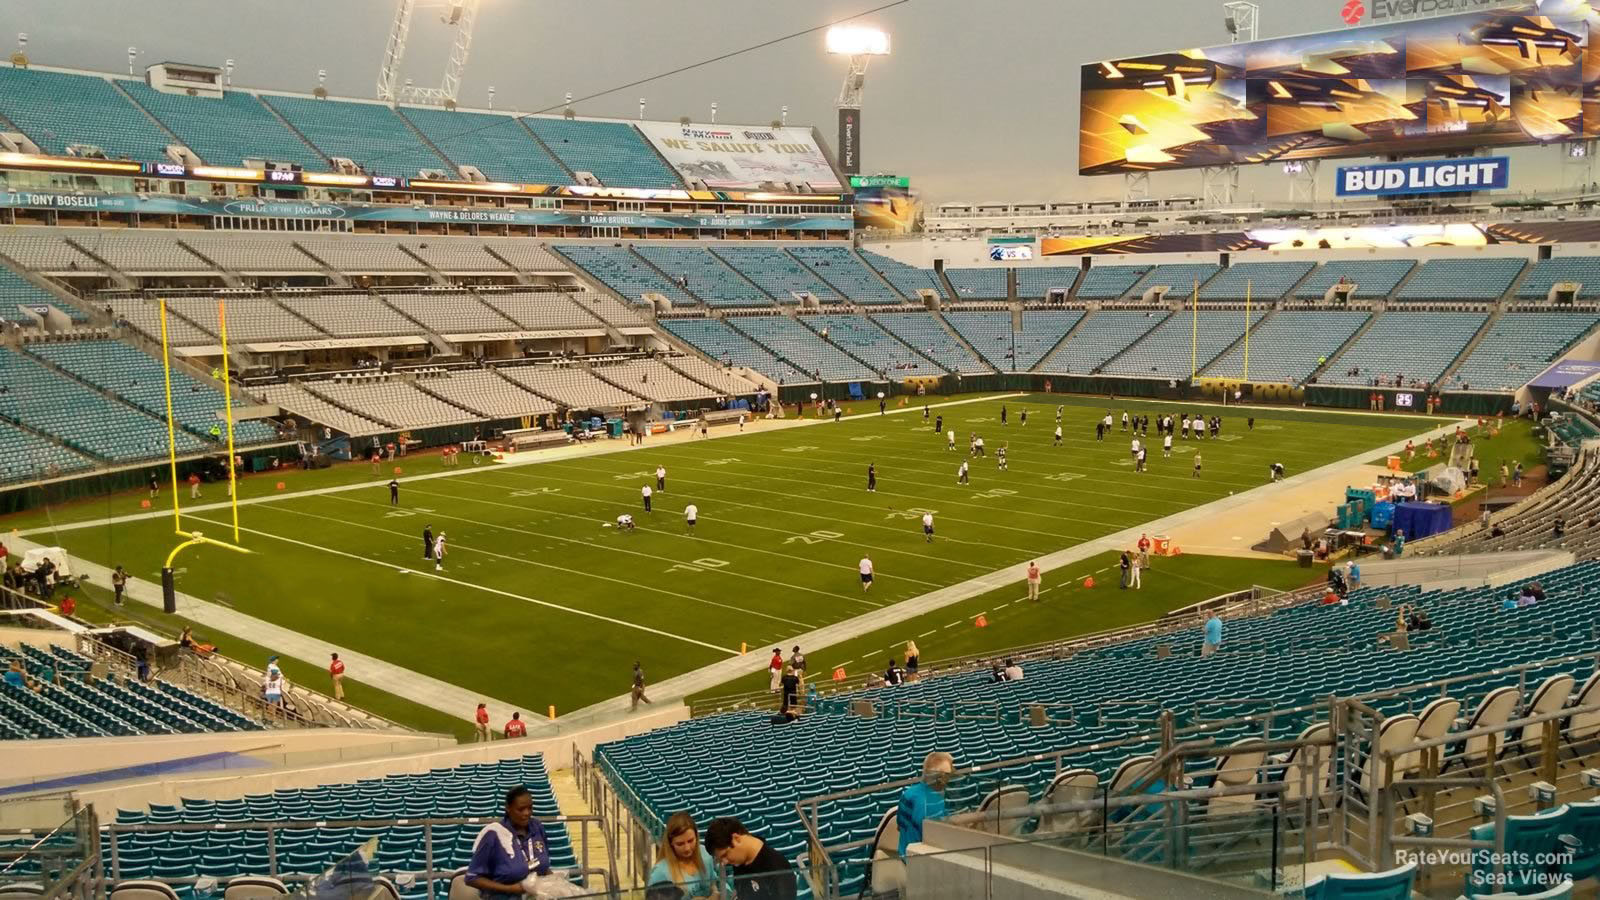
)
(172, 204)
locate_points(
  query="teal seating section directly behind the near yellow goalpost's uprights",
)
(140, 380)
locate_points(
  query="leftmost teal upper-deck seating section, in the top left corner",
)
(58, 110)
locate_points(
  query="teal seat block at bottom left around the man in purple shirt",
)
(310, 848)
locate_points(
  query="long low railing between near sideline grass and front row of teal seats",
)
(1250, 601)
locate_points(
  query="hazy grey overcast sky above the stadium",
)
(977, 103)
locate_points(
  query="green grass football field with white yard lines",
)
(542, 603)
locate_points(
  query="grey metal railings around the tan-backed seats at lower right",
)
(1174, 824)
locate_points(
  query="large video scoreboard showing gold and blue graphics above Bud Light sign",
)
(1490, 79)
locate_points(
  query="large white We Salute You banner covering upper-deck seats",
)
(743, 158)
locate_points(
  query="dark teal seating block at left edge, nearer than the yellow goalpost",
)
(70, 704)
